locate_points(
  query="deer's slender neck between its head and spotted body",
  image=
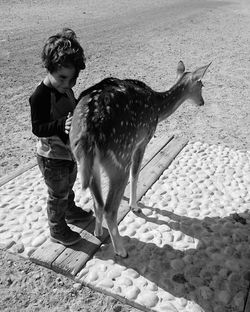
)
(167, 102)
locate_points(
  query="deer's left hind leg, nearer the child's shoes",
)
(96, 192)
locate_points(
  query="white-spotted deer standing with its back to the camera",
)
(112, 124)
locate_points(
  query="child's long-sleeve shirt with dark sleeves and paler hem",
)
(49, 110)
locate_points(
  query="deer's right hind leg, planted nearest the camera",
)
(118, 179)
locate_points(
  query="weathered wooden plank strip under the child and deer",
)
(70, 260)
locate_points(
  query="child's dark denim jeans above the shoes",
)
(59, 176)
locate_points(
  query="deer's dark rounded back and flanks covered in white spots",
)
(116, 113)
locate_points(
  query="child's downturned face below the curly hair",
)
(63, 78)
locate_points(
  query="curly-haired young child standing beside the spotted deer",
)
(52, 105)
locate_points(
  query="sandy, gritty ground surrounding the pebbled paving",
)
(126, 39)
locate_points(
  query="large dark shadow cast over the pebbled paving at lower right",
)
(214, 273)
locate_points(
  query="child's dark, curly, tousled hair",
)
(63, 49)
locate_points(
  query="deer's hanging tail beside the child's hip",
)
(84, 152)
